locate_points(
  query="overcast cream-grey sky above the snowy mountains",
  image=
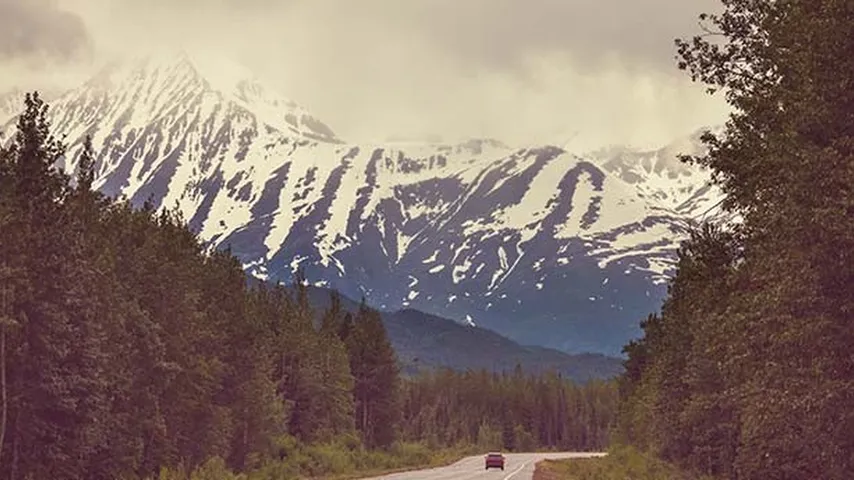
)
(522, 71)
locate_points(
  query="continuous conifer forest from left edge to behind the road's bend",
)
(126, 347)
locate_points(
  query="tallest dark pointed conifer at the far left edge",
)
(55, 390)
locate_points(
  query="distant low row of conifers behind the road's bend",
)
(508, 411)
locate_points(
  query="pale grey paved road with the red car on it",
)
(518, 466)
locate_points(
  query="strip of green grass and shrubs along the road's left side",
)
(331, 461)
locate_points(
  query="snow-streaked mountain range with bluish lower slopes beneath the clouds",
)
(544, 246)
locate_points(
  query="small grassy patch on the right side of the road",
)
(621, 463)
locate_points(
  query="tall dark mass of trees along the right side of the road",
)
(747, 373)
